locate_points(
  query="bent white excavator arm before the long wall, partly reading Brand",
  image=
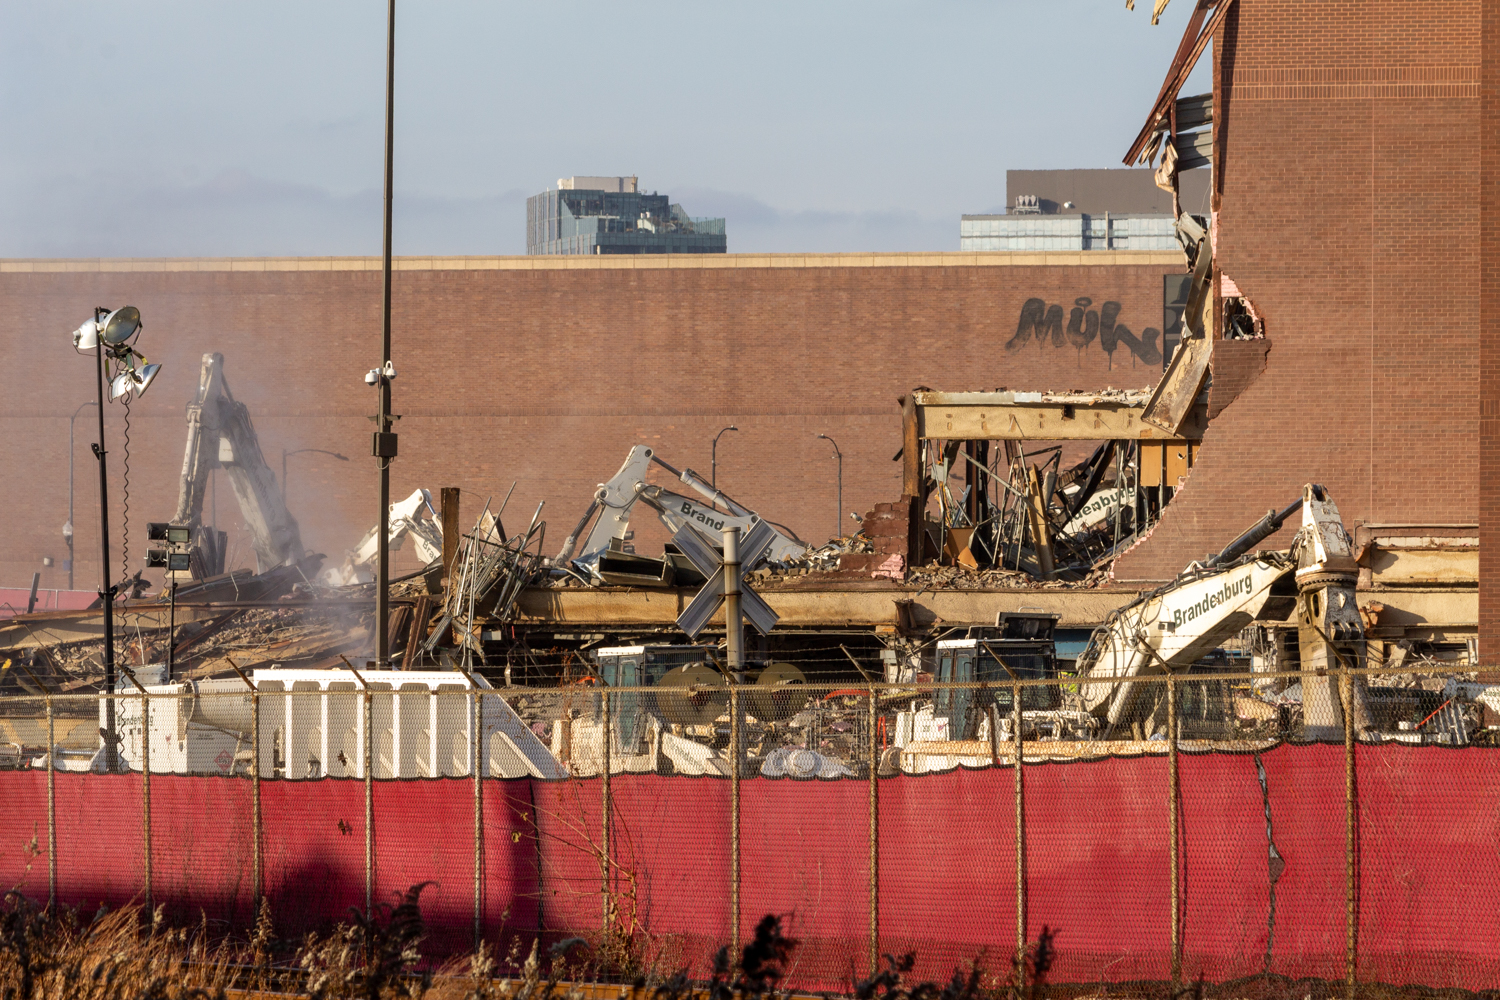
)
(616, 500)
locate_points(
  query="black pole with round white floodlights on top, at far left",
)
(112, 332)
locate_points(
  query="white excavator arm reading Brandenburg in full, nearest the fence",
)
(1211, 602)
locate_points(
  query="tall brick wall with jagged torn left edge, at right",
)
(1348, 188)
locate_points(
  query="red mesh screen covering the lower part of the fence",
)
(1261, 869)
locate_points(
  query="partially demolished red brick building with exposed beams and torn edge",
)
(1307, 368)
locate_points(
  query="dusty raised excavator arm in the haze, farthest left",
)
(221, 437)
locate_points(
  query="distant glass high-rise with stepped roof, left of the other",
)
(608, 215)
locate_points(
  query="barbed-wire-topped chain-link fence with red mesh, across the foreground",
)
(664, 819)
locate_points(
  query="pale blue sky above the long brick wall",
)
(209, 130)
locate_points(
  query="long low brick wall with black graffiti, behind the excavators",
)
(538, 373)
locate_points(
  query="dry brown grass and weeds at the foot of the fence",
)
(130, 954)
